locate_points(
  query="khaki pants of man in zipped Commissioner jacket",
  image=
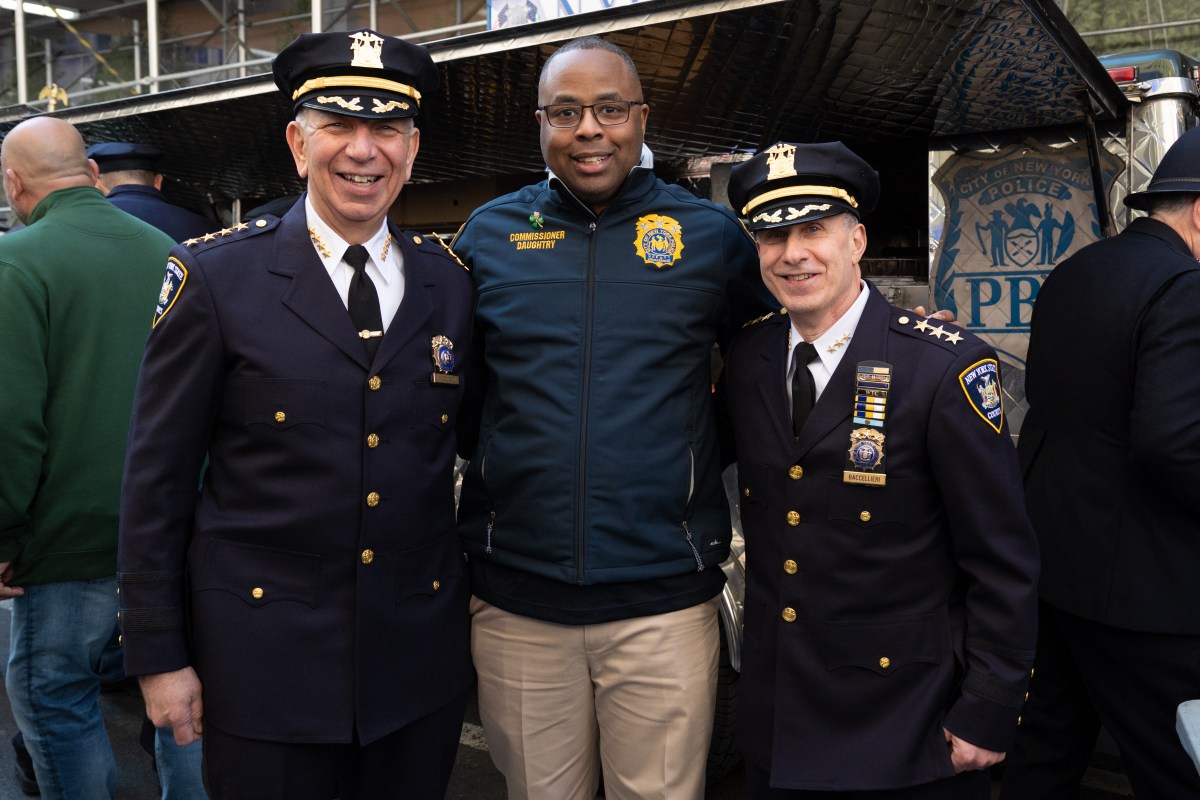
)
(634, 699)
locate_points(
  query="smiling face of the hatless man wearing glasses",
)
(593, 160)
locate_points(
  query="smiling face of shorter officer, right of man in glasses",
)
(813, 269)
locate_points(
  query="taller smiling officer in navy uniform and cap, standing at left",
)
(307, 611)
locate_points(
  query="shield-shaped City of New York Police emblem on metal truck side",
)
(1011, 216)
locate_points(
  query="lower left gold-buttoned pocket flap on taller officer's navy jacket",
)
(260, 575)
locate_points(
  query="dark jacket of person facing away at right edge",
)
(1112, 443)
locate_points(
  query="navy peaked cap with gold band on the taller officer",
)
(358, 74)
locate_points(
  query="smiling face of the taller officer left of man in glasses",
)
(355, 167)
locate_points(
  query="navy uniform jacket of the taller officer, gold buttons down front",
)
(316, 582)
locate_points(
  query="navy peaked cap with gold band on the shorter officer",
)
(788, 184)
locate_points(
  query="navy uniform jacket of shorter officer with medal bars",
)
(878, 615)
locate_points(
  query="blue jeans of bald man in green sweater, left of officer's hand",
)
(64, 645)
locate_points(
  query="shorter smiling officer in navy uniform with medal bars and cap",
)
(891, 590)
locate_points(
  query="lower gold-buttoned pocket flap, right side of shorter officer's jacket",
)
(883, 646)
